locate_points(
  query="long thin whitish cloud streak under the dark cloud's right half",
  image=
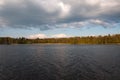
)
(86, 23)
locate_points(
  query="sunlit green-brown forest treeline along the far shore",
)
(107, 39)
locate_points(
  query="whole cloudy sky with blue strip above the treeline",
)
(59, 18)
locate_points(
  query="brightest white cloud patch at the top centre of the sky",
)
(54, 6)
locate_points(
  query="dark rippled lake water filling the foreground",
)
(59, 62)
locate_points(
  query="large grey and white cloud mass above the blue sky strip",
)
(50, 14)
